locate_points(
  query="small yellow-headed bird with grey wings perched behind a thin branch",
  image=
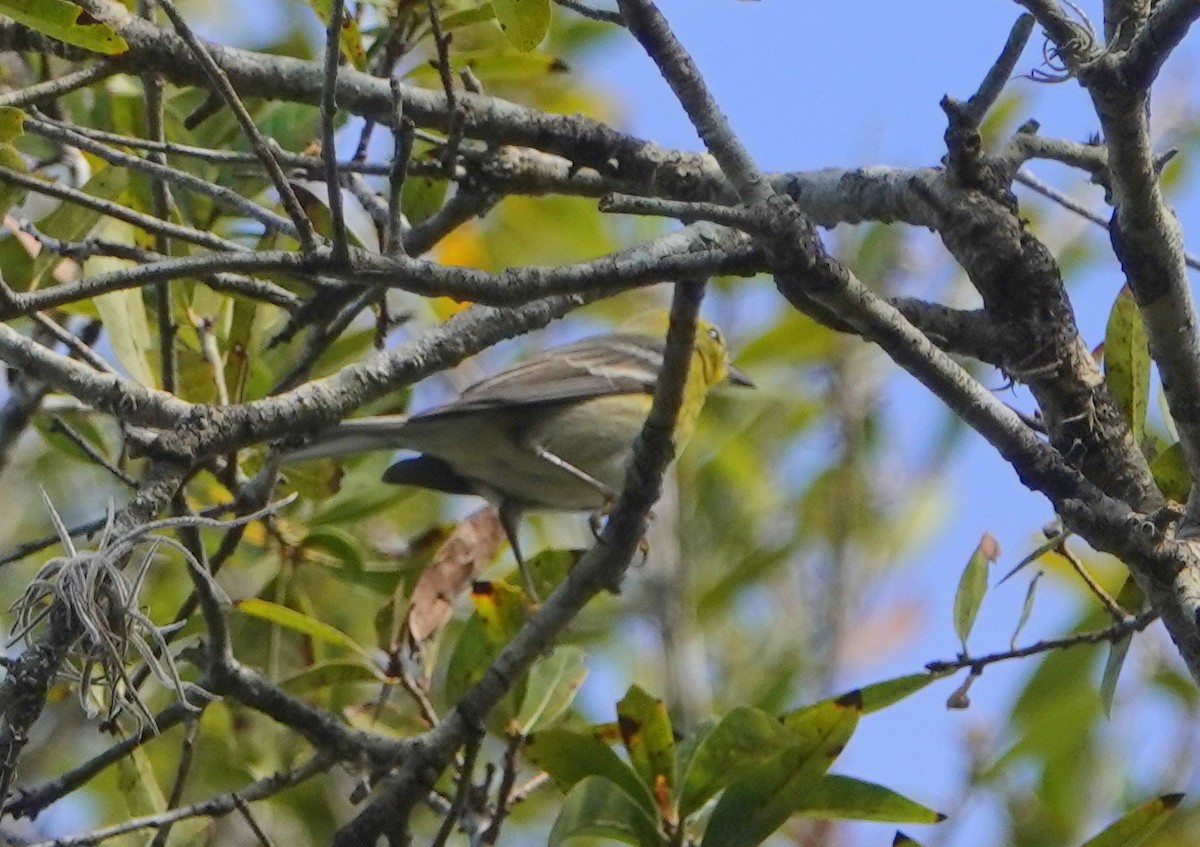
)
(555, 432)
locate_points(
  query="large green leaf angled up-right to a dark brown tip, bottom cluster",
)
(755, 807)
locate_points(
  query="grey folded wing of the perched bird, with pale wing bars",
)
(598, 367)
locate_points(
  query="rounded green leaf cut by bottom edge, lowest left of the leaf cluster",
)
(598, 808)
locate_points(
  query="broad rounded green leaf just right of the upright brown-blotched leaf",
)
(741, 742)
